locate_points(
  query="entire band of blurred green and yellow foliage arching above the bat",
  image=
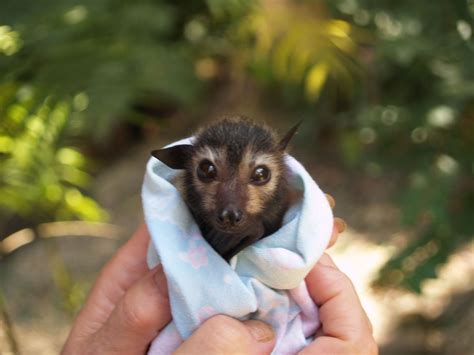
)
(393, 81)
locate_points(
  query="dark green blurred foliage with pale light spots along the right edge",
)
(416, 120)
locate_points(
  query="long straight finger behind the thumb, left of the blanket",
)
(123, 270)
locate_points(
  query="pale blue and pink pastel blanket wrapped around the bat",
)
(265, 281)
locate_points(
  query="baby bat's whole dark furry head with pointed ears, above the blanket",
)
(235, 182)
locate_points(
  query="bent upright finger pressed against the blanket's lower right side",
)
(341, 312)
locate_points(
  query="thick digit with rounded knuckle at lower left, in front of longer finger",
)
(139, 316)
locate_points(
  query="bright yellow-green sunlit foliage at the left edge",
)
(41, 176)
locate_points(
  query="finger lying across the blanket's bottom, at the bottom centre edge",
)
(226, 335)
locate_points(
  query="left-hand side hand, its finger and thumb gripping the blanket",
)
(127, 307)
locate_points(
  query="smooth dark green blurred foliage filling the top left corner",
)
(116, 53)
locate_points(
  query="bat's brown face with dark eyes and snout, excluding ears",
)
(234, 185)
